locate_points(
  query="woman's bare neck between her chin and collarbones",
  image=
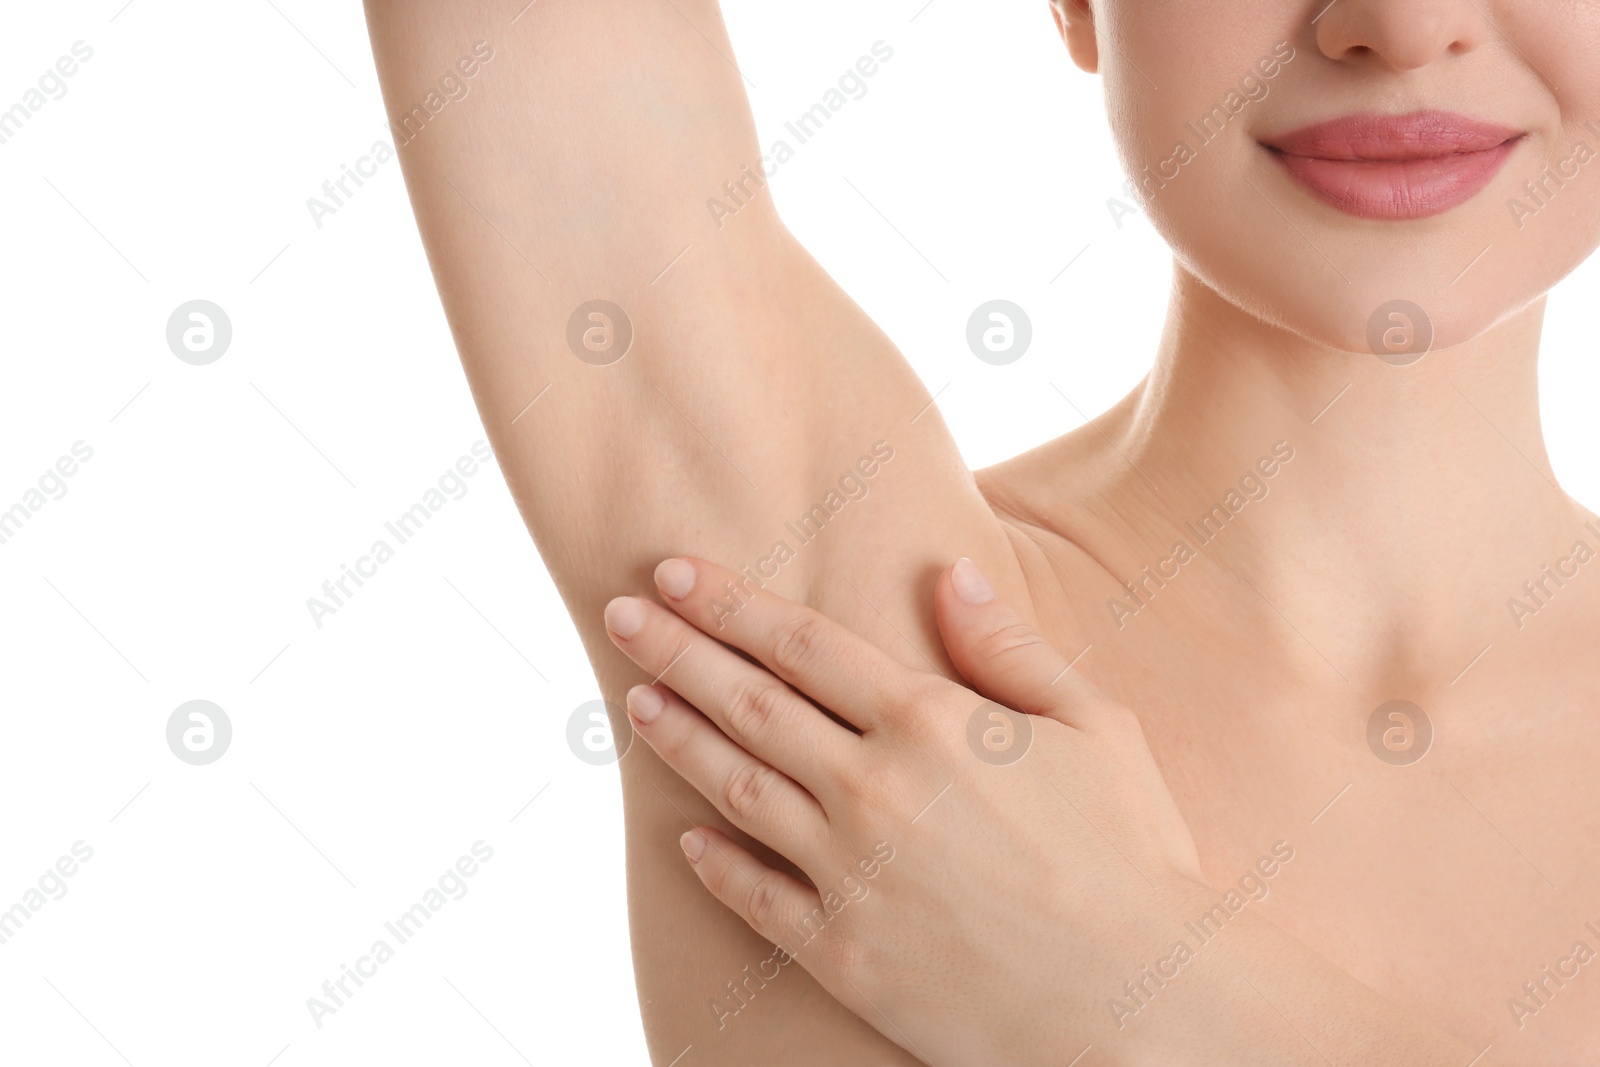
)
(1417, 503)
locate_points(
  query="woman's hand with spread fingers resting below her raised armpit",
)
(985, 874)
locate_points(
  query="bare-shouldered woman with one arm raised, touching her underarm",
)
(1300, 631)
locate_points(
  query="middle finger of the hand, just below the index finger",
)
(759, 713)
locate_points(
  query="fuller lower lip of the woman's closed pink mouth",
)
(1398, 190)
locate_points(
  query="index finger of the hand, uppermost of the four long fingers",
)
(826, 661)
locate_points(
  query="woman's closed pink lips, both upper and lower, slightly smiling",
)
(1396, 167)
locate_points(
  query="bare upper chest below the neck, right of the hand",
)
(1446, 853)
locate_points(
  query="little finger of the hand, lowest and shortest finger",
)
(775, 905)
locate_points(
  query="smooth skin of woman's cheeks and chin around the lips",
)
(1238, 223)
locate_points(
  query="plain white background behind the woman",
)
(372, 753)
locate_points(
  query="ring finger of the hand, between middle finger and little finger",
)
(754, 797)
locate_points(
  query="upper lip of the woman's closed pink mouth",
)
(1372, 137)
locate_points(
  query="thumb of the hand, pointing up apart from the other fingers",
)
(1002, 657)
